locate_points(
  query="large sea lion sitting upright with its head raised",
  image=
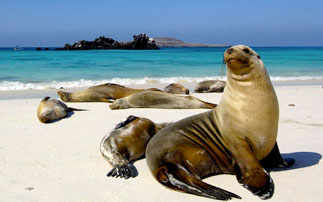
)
(230, 139)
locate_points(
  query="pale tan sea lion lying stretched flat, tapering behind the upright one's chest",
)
(161, 100)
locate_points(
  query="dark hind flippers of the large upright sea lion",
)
(179, 179)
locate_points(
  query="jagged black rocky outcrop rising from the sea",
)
(140, 42)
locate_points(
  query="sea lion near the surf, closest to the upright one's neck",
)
(210, 86)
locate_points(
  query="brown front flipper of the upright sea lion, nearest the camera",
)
(250, 173)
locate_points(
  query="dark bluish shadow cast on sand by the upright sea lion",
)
(302, 160)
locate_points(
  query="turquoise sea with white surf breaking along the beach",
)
(30, 69)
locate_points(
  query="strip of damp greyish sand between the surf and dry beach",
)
(40, 93)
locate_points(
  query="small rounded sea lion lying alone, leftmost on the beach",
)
(50, 110)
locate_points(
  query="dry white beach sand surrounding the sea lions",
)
(61, 161)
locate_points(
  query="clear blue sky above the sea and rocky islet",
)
(251, 22)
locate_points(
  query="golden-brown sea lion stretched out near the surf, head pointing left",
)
(100, 93)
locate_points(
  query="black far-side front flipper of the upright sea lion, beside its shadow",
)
(275, 160)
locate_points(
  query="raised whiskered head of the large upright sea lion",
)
(241, 60)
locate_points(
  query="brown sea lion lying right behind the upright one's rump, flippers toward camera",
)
(127, 143)
